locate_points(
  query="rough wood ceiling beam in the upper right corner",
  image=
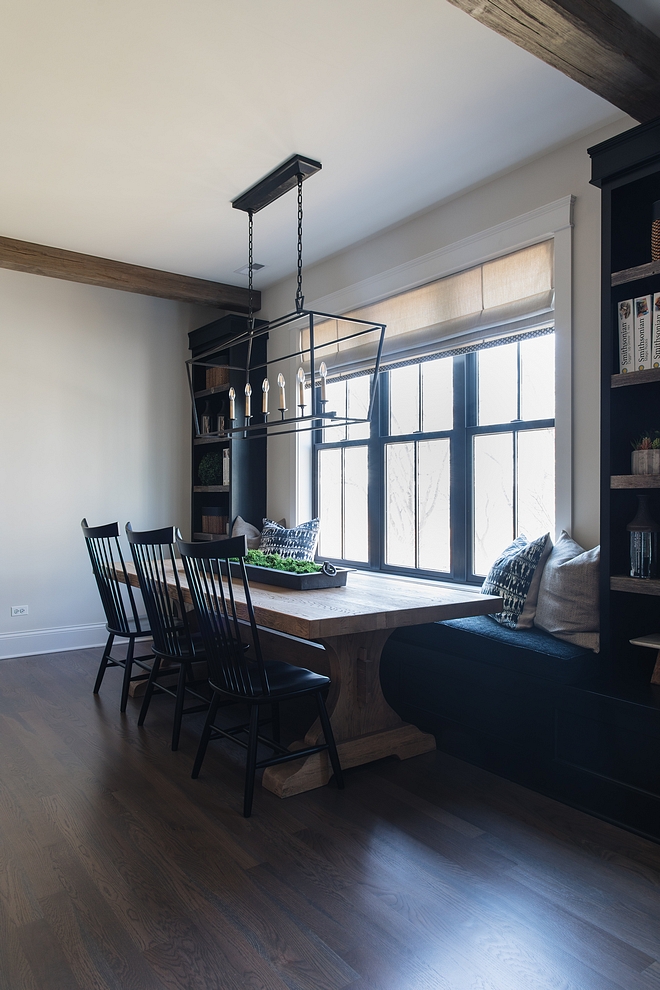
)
(594, 42)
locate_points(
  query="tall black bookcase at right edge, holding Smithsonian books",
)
(627, 170)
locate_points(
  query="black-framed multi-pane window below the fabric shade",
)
(458, 460)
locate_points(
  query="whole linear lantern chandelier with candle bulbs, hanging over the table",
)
(311, 349)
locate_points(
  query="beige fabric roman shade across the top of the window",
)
(511, 293)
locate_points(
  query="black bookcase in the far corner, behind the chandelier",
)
(245, 495)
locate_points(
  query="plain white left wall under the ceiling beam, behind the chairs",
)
(95, 423)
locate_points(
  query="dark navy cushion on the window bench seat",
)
(528, 651)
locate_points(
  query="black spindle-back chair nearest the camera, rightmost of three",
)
(242, 675)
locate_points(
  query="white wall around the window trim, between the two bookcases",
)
(563, 172)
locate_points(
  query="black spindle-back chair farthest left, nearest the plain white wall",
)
(122, 619)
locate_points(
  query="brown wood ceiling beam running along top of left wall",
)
(22, 256)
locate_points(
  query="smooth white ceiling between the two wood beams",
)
(129, 125)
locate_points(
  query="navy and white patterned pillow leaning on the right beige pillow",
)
(511, 578)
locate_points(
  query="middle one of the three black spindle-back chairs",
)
(173, 640)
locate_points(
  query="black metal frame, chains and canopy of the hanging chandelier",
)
(286, 176)
